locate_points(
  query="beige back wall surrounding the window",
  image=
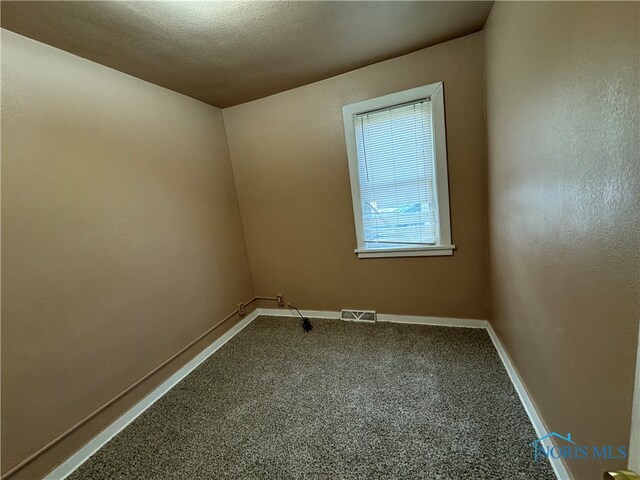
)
(290, 163)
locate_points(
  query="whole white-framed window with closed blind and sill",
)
(396, 146)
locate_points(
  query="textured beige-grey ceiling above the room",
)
(225, 53)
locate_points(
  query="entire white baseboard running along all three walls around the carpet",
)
(78, 458)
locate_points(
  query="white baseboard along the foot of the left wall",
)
(96, 443)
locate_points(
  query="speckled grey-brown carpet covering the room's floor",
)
(348, 400)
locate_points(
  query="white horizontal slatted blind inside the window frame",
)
(396, 172)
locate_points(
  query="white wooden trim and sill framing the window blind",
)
(436, 92)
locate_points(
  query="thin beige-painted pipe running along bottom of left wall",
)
(93, 414)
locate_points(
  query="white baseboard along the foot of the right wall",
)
(558, 464)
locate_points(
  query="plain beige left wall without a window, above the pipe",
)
(121, 241)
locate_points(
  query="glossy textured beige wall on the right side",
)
(564, 173)
